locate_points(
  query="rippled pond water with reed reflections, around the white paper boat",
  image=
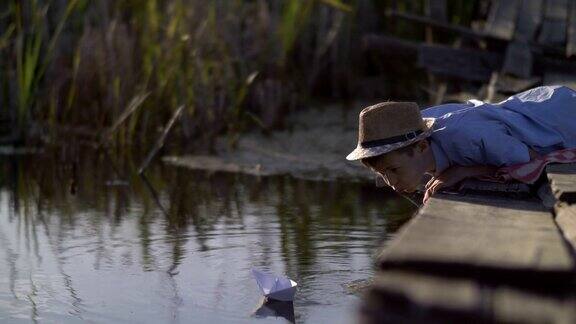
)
(82, 238)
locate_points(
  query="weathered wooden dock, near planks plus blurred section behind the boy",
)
(491, 254)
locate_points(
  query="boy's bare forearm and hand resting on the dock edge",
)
(455, 174)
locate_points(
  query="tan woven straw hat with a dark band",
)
(388, 126)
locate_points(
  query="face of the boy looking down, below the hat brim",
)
(403, 171)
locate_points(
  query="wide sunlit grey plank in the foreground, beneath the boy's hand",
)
(503, 239)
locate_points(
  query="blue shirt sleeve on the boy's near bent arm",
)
(488, 144)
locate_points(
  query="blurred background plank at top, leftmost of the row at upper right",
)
(501, 20)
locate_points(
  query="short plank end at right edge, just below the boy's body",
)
(562, 178)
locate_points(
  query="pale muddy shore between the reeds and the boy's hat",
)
(313, 147)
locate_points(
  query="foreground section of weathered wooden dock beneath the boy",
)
(482, 258)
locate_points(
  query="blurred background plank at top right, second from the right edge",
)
(554, 25)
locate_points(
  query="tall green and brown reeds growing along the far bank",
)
(76, 66)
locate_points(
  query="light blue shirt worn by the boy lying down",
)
(478, 133)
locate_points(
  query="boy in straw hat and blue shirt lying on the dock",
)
(453, 142)
